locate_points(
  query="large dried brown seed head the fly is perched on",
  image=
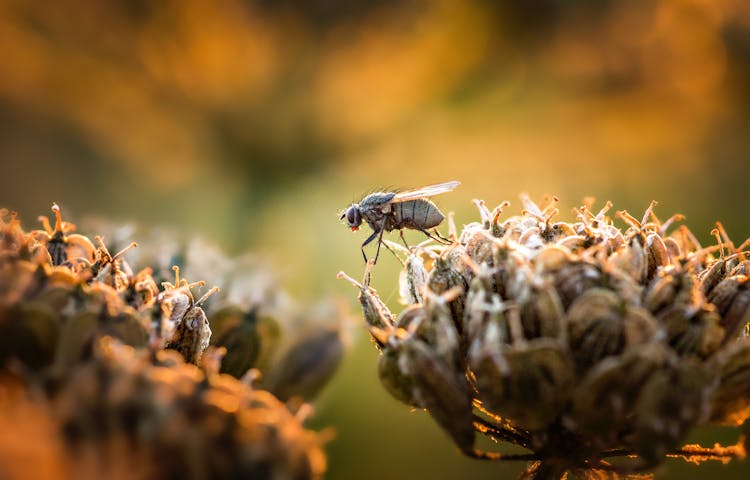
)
(576, 340)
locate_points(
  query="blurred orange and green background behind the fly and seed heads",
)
(255, 122)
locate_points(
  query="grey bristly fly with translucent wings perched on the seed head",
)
(387, 211)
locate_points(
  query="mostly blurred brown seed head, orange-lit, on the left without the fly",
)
(123, 360)
